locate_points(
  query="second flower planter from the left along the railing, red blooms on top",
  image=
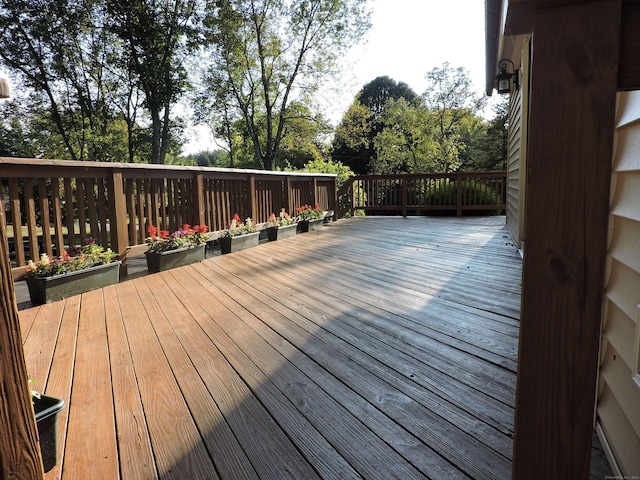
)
(171, 250)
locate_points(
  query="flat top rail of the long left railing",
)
(23, 162)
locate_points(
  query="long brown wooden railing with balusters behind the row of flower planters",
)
(115, 203)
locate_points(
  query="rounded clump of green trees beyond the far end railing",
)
(388, 130)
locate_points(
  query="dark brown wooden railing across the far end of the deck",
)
(418, 194)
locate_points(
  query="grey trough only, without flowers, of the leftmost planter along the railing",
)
(57, 287)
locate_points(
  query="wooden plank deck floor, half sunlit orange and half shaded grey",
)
(379, 348)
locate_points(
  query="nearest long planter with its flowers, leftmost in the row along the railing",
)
(78, 270)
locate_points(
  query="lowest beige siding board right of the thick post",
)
(624, 442)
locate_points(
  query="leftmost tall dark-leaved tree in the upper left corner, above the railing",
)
(57, 53)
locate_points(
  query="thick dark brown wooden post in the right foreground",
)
(571, 126)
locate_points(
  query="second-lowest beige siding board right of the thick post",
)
(616, 374)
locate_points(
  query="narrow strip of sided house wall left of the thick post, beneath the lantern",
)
(516, 151)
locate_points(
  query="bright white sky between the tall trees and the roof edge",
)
(408, 38)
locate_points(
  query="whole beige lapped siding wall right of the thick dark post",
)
(618, 409)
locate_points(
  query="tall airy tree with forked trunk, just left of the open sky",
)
(267, 53)
